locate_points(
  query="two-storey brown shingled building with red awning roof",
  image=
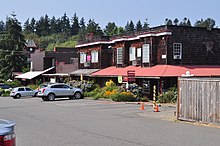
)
(173, 48)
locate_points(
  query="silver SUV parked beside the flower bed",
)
(59, 90)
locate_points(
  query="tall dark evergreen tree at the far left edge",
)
(12, 43)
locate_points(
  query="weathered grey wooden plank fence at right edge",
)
(199, 99)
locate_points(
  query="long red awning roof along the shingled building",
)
(160, 71)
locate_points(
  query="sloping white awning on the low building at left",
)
(32, 74)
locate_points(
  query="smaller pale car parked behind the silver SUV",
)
(19, 92)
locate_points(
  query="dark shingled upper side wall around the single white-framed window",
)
(200, 46)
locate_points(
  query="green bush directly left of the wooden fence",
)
(169, 97)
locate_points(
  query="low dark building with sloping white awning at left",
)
(51, 66)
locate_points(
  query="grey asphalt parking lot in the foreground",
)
(96, 123)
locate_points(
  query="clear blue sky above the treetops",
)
(118, 11)
